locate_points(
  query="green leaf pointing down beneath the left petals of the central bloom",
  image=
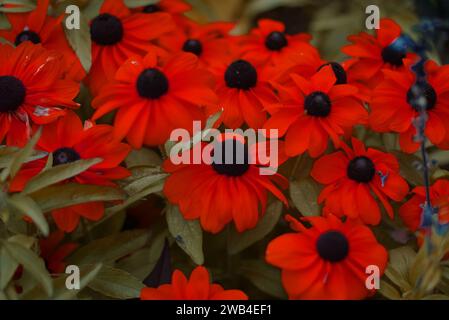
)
(187, 233)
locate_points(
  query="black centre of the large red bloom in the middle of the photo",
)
(234, 158)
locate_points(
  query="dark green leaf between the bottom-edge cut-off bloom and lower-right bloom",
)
(263, 276)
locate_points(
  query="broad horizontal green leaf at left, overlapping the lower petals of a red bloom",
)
(65, 195)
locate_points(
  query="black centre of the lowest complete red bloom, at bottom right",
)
(332, 246)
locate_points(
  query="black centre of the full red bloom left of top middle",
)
(152, 84)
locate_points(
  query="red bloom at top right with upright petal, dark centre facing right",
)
(374, 53)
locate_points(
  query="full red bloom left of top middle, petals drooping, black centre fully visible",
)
(153, 97)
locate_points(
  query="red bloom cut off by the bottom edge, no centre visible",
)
(197, 287)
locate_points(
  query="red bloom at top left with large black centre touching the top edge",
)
(118, 34)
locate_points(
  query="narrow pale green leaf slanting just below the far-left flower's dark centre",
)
(59, 173)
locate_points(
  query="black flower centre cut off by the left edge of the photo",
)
(12, 93)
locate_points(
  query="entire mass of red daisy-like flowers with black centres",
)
(158, 71)
